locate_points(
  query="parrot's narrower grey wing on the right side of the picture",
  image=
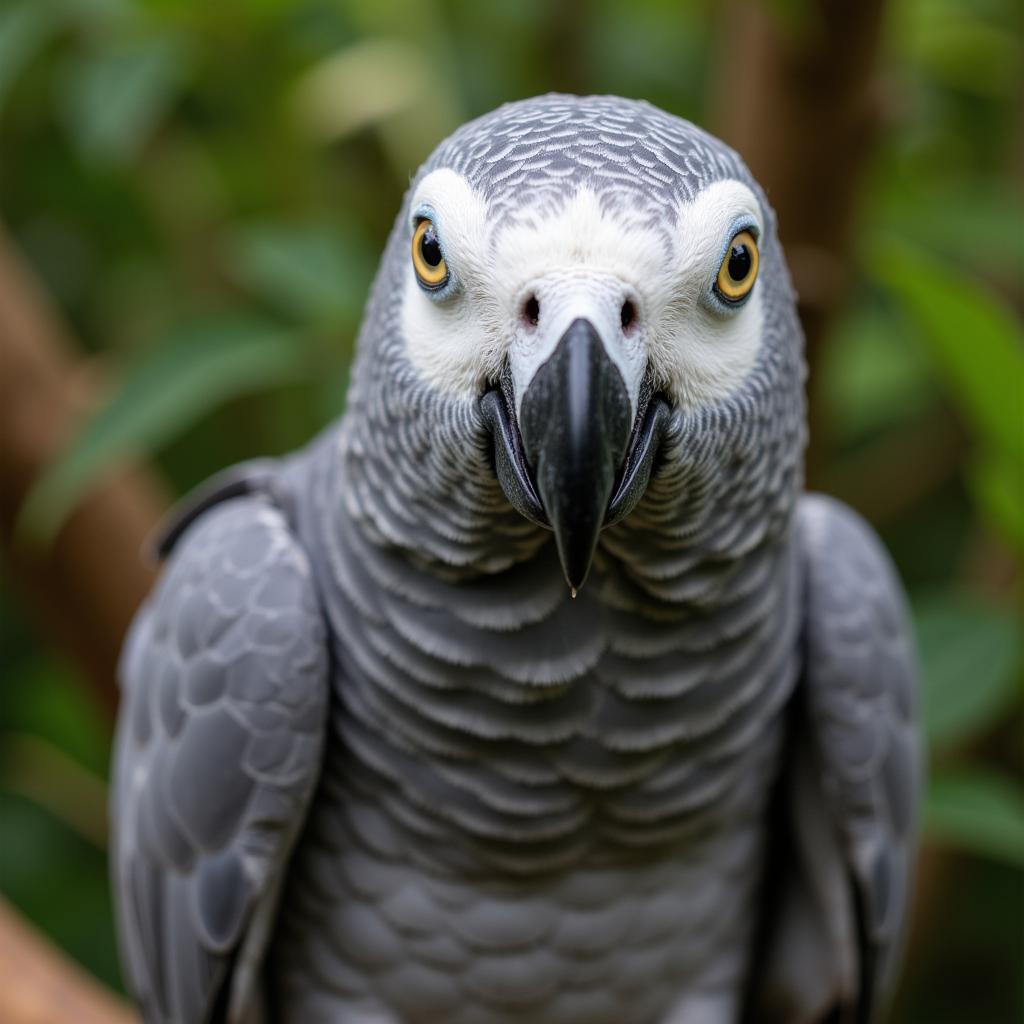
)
(839, 885)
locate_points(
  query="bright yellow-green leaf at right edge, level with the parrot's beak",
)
(973, 338)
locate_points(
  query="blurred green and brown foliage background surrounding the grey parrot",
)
(193, 199)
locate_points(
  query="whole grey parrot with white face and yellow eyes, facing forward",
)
(385, 758)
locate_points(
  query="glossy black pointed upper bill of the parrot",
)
(576, 421)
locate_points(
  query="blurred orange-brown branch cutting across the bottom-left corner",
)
(40, 987)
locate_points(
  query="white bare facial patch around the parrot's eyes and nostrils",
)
(582, 261)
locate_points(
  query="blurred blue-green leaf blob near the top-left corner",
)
(113, 100)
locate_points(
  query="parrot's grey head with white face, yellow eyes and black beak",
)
(584, 296)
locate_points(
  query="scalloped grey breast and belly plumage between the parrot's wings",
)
(534, 807)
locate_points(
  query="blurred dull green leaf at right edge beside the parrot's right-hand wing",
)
(970, 656)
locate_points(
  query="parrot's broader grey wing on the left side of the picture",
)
(225, 679)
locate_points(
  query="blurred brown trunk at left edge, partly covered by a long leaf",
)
(82, 590)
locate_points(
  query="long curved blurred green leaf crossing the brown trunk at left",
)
(201, 366)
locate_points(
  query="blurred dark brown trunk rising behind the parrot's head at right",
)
(798, 97)
